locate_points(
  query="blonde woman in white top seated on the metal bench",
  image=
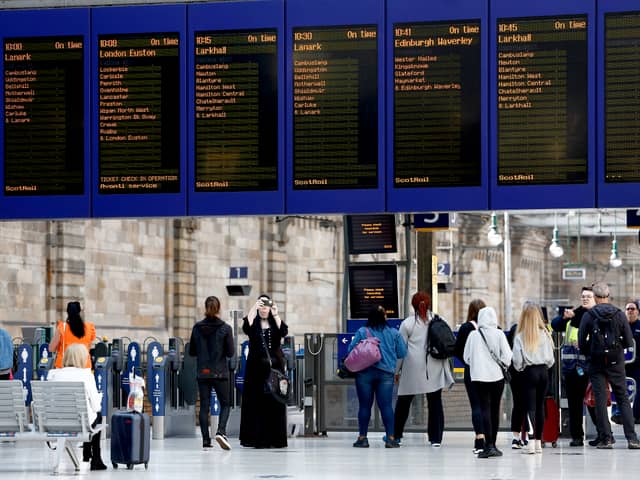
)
(74, 361)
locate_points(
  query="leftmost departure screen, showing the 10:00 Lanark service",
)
(44, 88)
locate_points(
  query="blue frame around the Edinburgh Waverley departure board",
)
(438, 198)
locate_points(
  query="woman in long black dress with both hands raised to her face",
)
(263, 420)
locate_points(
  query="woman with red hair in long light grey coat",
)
(418, 376)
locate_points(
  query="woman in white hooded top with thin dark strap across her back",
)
(486, 375)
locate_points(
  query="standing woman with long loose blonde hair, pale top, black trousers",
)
(533, 356)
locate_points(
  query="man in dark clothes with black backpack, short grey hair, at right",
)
(604, 334)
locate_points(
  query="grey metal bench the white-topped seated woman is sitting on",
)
(60, 417)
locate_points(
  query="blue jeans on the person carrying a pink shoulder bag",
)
(369, 382)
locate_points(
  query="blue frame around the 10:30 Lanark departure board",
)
(302, 13)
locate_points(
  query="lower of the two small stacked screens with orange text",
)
(371, 285)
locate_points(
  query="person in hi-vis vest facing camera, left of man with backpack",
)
(574, 368)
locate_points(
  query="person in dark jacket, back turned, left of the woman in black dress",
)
(212, 343)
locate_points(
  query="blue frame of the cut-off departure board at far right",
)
(610, 194)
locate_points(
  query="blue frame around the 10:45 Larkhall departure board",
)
(515, 197)
